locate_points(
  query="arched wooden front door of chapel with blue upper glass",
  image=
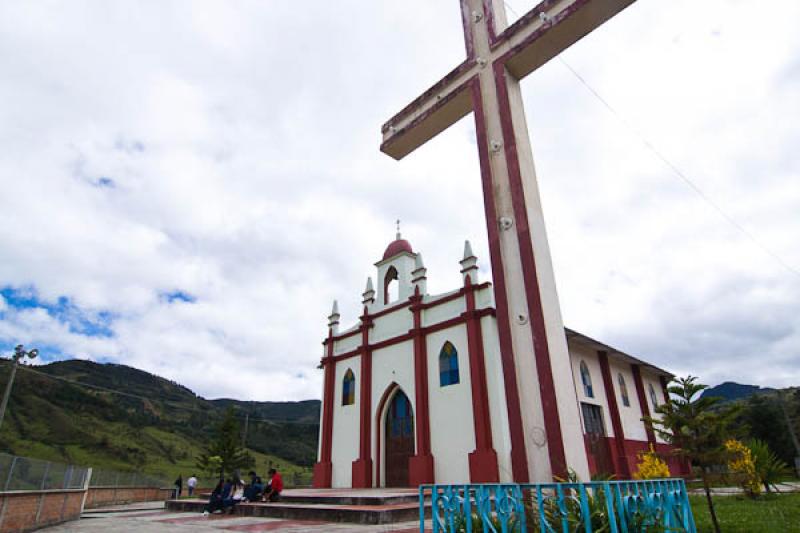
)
(399, 438)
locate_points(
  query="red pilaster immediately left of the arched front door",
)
(362, 467)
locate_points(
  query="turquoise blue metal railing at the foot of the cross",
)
(613, 506)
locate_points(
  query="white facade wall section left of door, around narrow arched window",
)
(345, 425)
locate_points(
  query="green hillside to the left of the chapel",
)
(157, 426)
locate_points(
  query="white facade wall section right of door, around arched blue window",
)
(451, 417)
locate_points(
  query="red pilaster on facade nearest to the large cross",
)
(483, 461)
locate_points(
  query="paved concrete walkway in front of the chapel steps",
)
(152, 518)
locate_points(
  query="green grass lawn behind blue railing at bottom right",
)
(769, 514)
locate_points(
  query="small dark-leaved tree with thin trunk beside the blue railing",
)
(697, 426)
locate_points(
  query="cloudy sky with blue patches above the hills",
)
(186, 186)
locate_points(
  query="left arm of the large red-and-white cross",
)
(438, 108)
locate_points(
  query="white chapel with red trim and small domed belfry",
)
(417, 390)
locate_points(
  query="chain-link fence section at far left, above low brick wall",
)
(21, 473)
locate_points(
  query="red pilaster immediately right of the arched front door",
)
(420, 466)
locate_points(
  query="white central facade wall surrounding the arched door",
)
(393, 364)
